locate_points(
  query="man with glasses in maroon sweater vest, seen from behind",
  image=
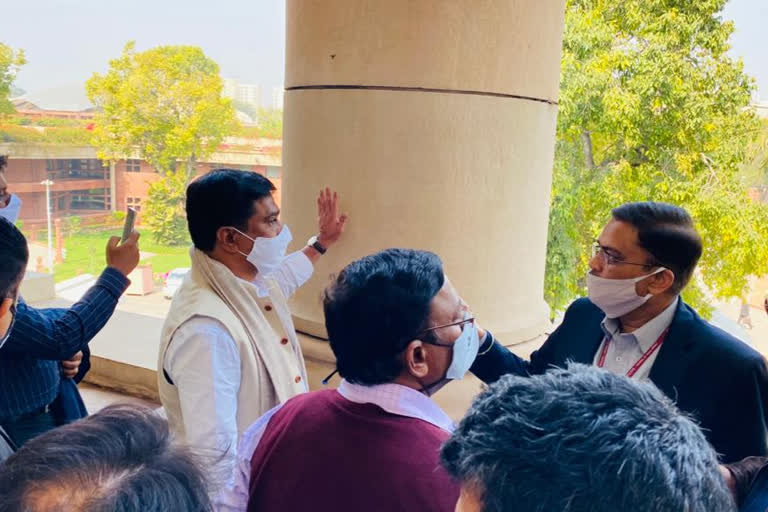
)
(399, 332)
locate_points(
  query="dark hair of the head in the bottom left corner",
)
(120, 459)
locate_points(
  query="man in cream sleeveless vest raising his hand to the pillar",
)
(229, 351)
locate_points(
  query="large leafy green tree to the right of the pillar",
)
(652, 108)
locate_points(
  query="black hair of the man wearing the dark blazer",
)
(667, 232)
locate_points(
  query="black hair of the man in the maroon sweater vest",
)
(375, 307)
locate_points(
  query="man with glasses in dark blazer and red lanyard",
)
(634, 323)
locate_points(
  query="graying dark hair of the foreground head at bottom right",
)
(583, 440)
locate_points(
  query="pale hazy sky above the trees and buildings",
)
(67, 40)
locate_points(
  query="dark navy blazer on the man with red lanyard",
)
(720, 381)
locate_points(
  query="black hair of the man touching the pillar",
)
(221, 198)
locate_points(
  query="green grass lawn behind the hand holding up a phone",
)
(86, 254)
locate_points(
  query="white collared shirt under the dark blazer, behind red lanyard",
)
(626, 349)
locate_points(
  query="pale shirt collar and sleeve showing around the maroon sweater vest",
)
(393, 398)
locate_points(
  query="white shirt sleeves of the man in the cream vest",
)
(204, 364)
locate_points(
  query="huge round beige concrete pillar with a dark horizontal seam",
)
(435, 121)
